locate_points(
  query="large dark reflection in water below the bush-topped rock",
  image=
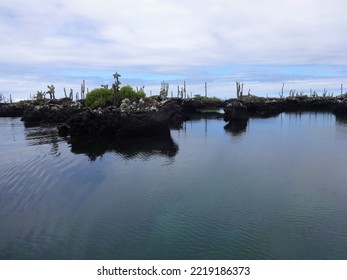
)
(143, 147)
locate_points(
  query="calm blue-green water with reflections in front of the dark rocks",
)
(271, 189)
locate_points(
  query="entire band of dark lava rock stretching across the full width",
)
(156, 117)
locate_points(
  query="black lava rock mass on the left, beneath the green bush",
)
(148, 117)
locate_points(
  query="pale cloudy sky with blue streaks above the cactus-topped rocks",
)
(262, 44)
